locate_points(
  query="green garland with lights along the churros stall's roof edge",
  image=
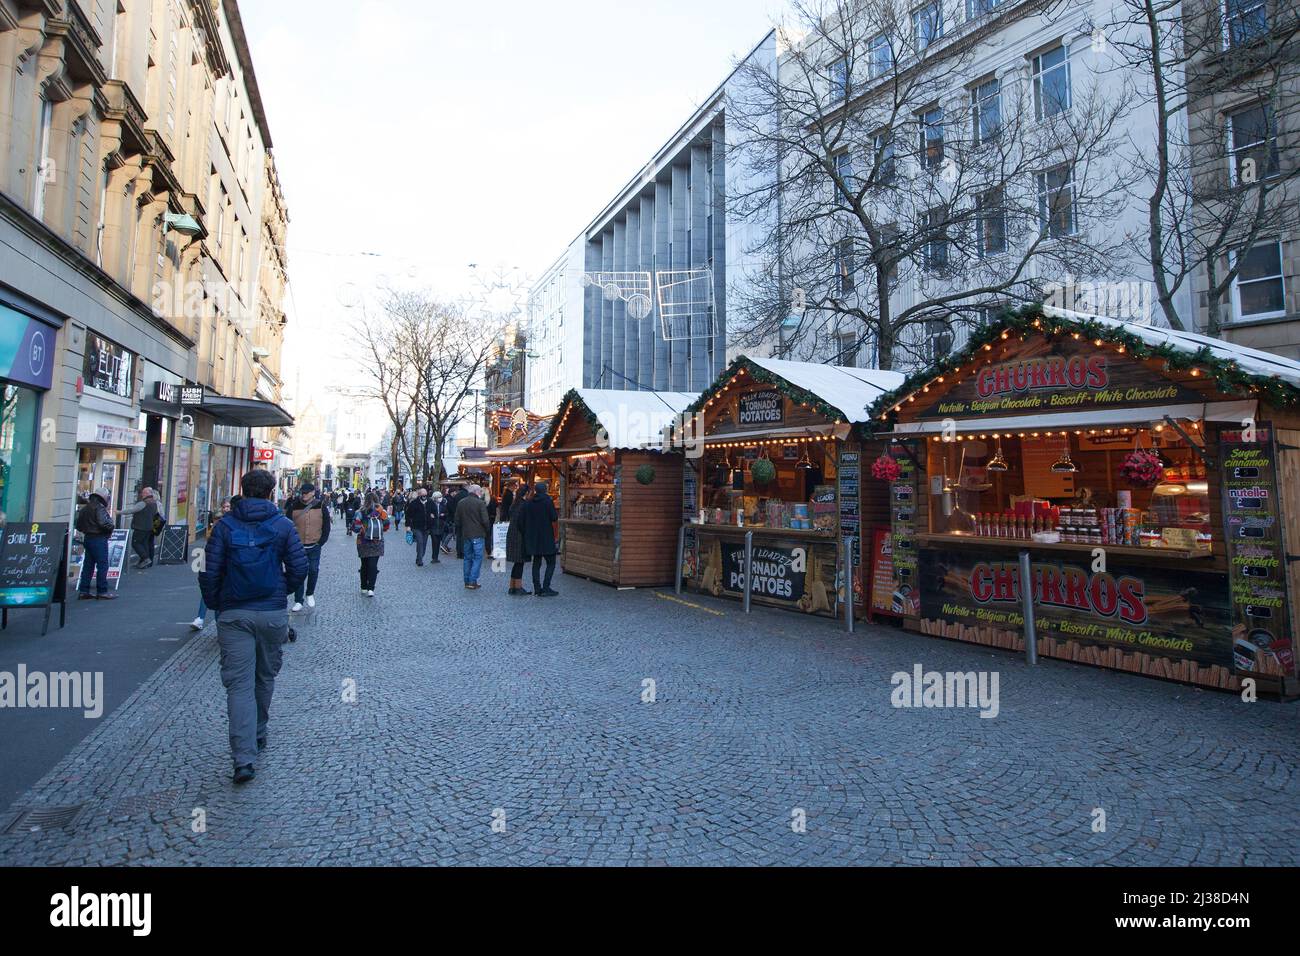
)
(1228, 375)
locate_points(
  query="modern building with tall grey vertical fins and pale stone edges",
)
(640, 300)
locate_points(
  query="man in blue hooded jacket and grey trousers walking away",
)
(253, 563)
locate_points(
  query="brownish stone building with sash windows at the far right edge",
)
(1245, 146)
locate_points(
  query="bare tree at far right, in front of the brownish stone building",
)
(1215, 180)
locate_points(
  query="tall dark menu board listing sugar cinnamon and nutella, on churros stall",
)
(1262, 634)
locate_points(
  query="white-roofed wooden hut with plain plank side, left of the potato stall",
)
(621, 487)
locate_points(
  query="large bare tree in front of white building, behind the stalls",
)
(896, 192)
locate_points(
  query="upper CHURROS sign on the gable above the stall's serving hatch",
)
(1071, 378)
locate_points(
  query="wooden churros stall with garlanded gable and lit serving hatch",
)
(1106, 494)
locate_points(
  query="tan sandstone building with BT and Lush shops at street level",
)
(133, 165)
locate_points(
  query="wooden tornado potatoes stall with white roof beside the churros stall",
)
(774, 498)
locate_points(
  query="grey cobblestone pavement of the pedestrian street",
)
(476, 710)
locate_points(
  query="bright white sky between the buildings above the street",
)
(440, 135)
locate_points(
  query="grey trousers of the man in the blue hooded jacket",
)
(253, 647)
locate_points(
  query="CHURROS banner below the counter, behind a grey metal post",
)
(1171, 613)
